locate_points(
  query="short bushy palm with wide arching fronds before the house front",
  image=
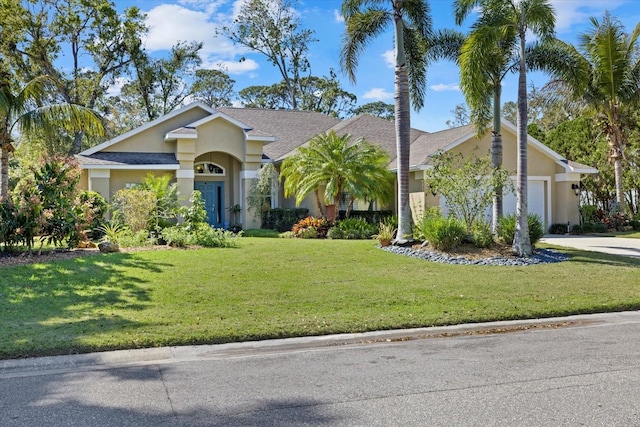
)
(330, 161)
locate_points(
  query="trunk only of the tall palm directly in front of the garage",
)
(522, 242)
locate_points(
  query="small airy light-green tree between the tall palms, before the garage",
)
(466, 184)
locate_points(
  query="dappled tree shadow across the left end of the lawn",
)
(48, 309)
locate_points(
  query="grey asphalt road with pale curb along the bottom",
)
(581, 370)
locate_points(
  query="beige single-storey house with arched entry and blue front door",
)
(220, 151)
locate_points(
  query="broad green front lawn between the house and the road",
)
(270, 288)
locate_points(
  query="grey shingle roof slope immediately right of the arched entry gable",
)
(291, 128)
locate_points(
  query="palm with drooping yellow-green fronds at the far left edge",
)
(27, 111)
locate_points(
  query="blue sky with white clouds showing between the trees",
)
(170, 21)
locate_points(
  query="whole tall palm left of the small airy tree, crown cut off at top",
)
(366, 19)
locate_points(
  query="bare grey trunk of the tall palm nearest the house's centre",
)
(403, 137)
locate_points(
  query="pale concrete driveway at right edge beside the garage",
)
(609, 245)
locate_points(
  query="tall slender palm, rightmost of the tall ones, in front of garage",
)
(506, 23)
